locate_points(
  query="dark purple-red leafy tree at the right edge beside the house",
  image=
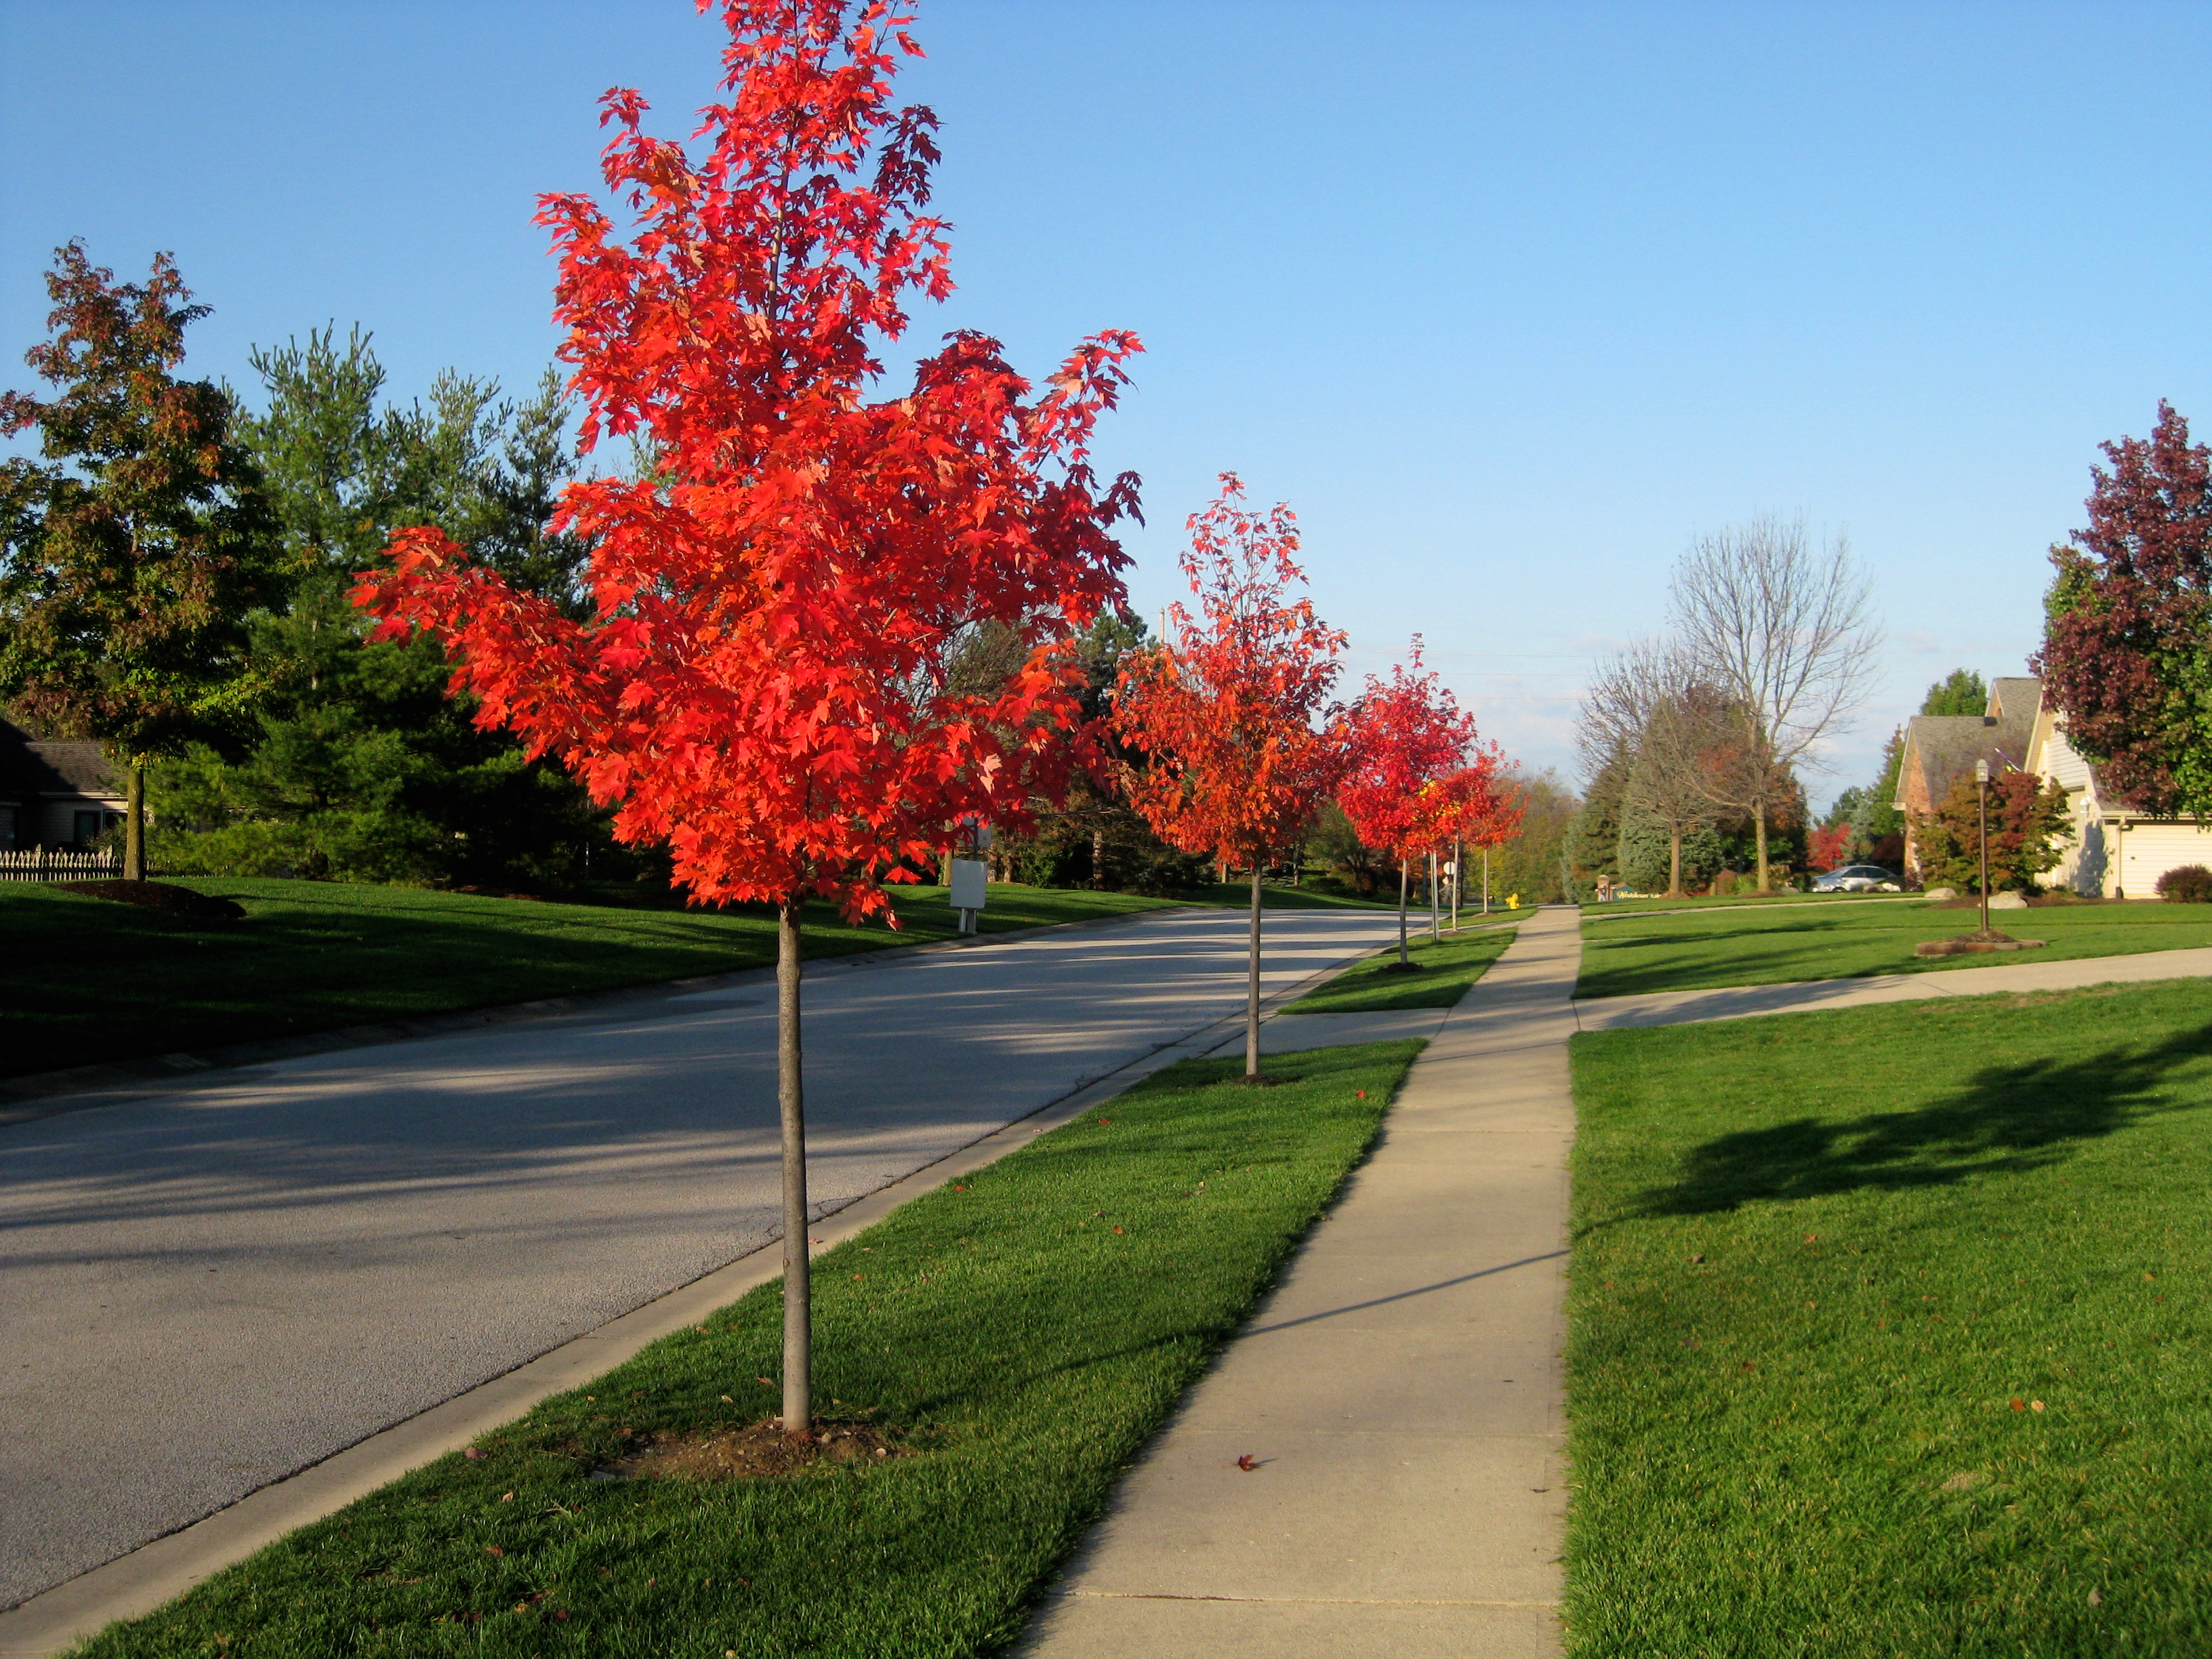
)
(2129, 623)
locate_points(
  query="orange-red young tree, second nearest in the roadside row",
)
(1235, 709)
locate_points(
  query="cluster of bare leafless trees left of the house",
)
(1693, 742)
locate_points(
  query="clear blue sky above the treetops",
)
(1507, 302)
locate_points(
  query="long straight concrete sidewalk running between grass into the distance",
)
(1401, 1390)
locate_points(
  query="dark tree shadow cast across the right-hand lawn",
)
(2007, 1118)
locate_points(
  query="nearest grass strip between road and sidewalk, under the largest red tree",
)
(1019, 1337)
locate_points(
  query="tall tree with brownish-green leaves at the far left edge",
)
(138, 541)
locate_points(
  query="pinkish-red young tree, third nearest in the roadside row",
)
(1408, 733)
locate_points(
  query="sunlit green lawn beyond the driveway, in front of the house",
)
(1857, 939)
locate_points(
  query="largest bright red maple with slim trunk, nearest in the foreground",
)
(780, 607)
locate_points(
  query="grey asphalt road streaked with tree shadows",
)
(211, 1288)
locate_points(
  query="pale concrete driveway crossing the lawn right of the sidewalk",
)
(1742, 1001)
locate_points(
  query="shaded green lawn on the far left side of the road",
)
(87, 979)
